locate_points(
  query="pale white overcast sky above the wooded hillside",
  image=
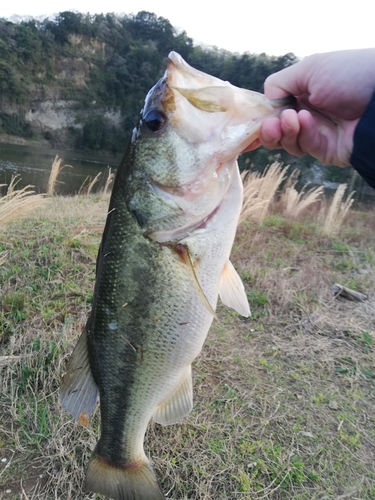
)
(271, 26)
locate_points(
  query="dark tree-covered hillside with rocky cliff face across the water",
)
(78, 81)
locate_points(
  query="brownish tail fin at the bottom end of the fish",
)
(135, 481)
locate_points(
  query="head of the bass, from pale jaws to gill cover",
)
(192, 127)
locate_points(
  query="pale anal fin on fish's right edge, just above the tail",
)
(178, 405)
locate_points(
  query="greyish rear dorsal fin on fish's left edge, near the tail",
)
(79, 392)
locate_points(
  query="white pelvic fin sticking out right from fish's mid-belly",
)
(232, 292)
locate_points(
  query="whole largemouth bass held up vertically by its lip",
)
(163, 261)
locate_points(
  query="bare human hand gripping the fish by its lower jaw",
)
(332, 91)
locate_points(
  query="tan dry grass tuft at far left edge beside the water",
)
(18, 202)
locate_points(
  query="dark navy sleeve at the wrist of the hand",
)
(363, 155)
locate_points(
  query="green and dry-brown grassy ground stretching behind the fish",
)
(284, 402)
